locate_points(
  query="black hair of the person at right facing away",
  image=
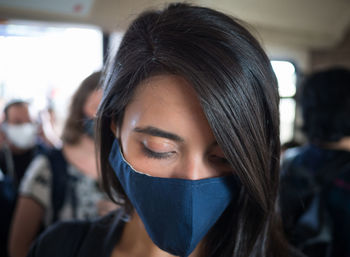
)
(325, 102)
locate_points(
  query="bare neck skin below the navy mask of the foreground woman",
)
(136, 242)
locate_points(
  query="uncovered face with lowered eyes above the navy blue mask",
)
(165, 133)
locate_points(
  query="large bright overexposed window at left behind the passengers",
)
(43, 62)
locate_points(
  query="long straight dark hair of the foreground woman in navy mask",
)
(237, 89)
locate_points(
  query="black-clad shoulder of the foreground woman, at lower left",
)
(78, 238)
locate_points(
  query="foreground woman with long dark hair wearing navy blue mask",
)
(189, 140)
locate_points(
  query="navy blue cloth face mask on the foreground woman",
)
(177, 213)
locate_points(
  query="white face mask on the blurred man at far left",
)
(22, 136)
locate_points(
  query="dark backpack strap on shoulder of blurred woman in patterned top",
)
(59, 180)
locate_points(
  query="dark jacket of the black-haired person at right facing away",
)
(313, 169)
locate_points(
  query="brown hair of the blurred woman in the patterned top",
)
(74, 126)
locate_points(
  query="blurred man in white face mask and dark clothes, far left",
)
(19, 144)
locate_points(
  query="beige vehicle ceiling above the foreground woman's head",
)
(308, 24)
